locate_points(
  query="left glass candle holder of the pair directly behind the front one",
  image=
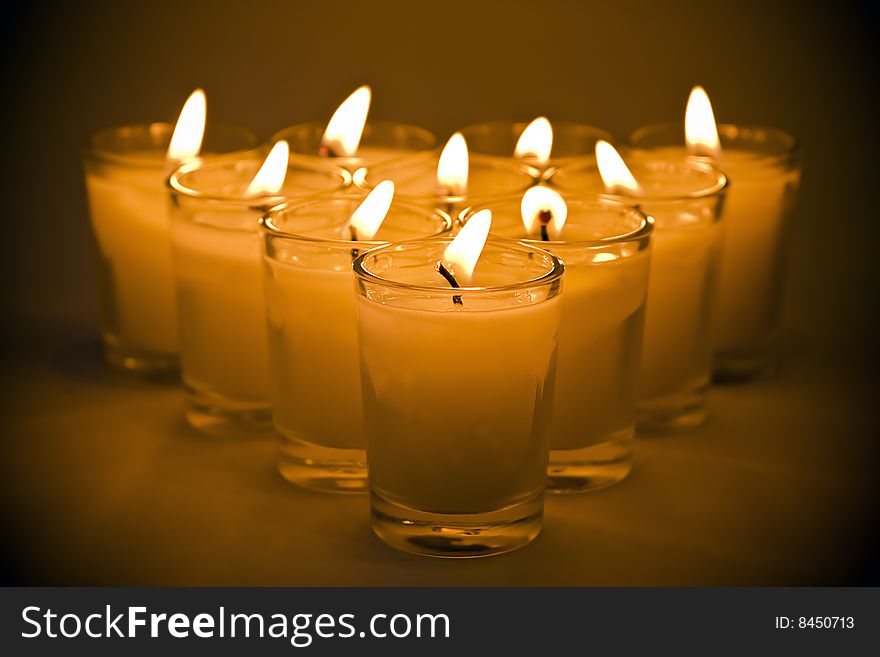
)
(313, 347)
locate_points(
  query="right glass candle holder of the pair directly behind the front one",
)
(606, 250)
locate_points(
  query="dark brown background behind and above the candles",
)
(72, 68)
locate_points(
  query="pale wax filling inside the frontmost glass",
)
(456, 402)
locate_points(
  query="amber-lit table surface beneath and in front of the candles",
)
(104, 483)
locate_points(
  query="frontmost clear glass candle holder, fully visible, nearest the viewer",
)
(457, 388)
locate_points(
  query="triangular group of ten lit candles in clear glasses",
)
(479, 324)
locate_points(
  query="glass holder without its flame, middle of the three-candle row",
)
(415, 179)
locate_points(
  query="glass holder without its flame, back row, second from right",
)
(571, 141)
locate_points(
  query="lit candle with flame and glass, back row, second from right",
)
(540, 146)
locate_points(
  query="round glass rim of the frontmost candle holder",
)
(555, 272)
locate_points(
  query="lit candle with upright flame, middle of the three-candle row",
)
(451, 179)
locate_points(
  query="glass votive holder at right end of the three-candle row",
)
(686, 199)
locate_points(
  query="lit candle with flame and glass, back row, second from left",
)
(353, 143)
